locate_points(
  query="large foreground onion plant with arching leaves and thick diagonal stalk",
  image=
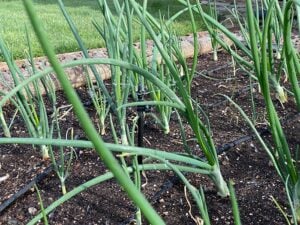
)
(123, 61)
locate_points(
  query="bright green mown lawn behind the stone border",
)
(13, 20)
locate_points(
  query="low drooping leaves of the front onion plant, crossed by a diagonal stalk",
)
(167, 161)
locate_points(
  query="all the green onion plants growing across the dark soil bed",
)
(162, 80)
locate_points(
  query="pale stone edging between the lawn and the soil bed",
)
(76, 74)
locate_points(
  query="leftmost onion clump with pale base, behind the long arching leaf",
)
(29, 101)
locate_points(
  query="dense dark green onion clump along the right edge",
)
(259, 48)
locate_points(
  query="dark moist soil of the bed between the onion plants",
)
(247, 164)
